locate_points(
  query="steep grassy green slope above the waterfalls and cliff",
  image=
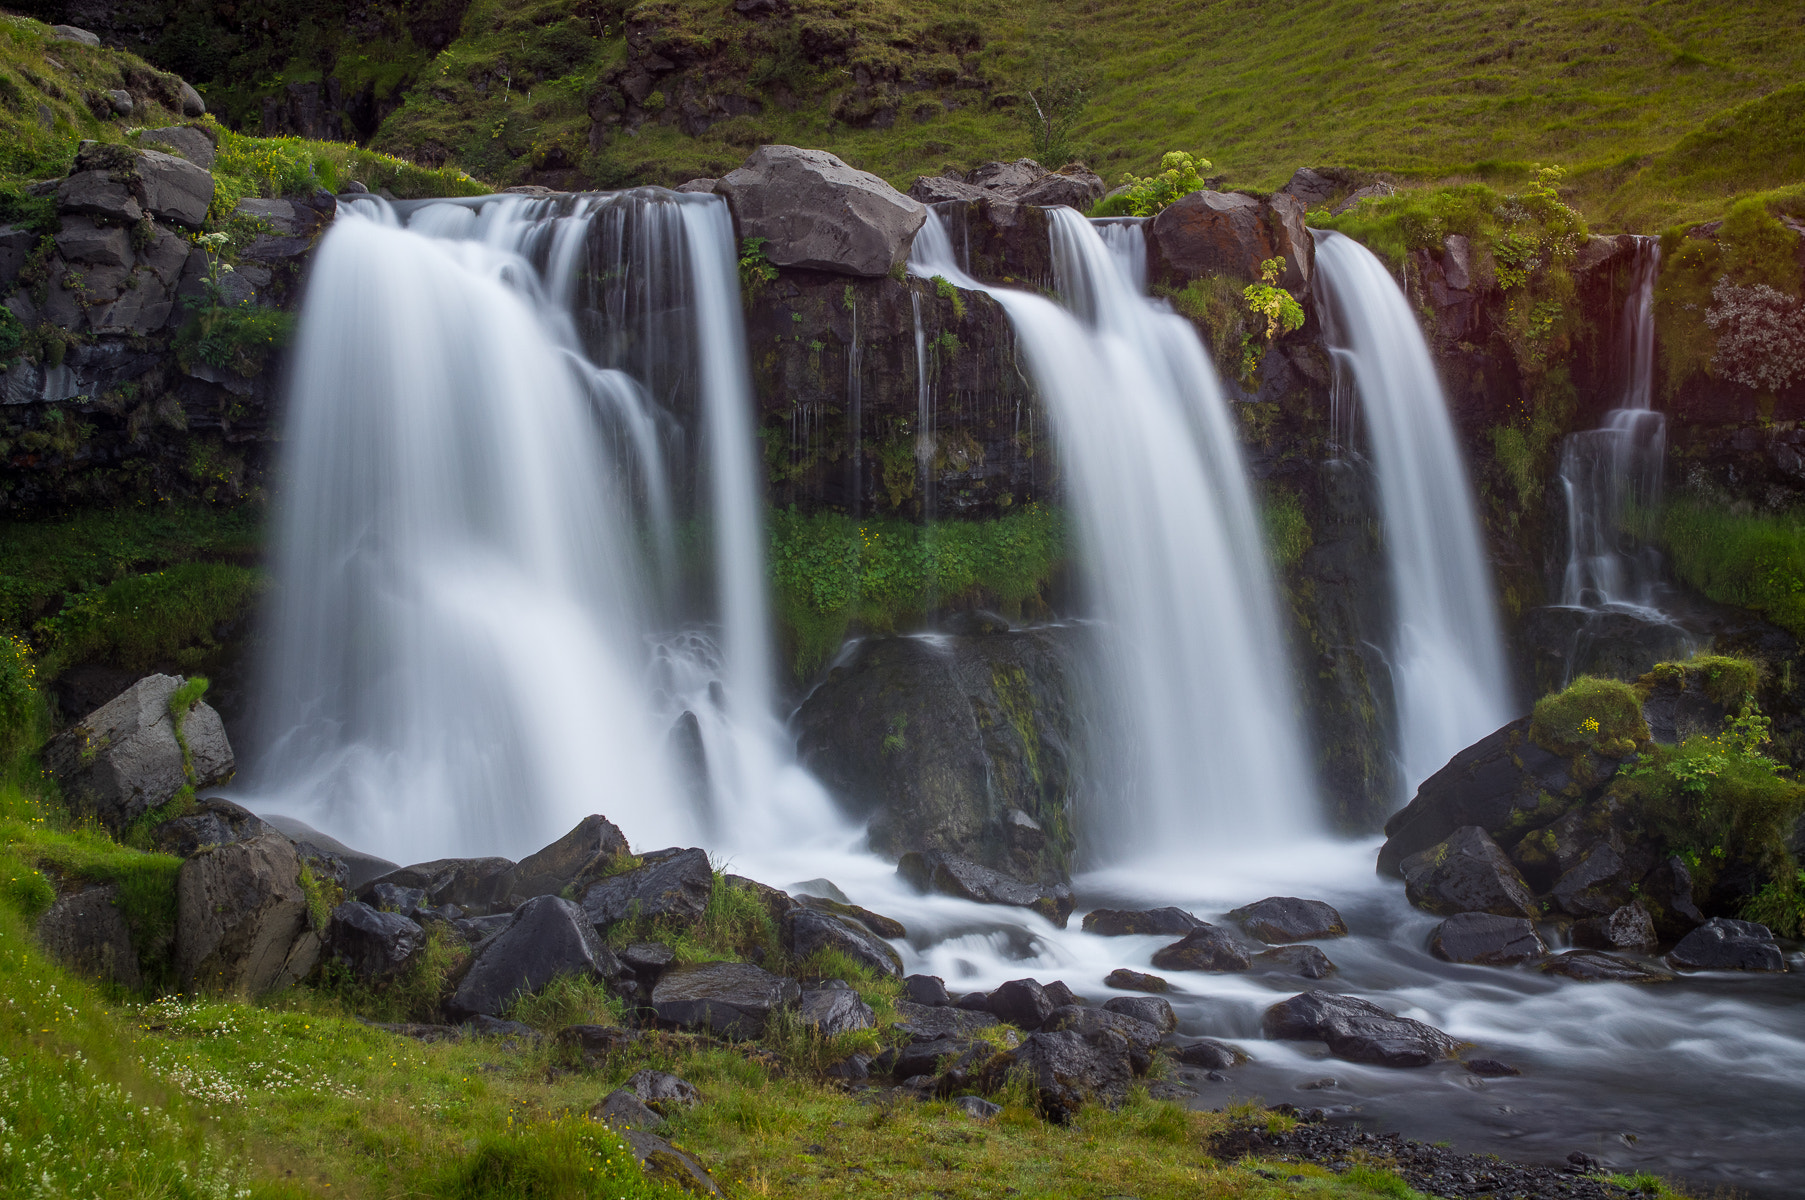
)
(1660, 111)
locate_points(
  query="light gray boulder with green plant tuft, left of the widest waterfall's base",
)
(122, 761)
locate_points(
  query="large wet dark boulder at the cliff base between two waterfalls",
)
(961, 746)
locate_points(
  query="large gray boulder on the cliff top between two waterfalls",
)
(817, 212)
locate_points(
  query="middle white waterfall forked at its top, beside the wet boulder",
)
(1196, 670)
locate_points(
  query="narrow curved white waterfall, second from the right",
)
(1447, 658)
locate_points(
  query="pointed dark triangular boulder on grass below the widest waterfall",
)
(546, 939)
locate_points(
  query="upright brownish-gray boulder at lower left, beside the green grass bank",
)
(241, 919)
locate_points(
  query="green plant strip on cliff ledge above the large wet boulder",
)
(831, 571)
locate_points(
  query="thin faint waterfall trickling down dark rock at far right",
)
(1613, 474)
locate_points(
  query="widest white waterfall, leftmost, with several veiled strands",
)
(483, 627)
